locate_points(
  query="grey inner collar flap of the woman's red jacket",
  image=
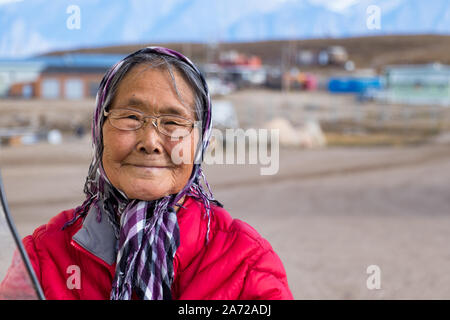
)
(98, 237)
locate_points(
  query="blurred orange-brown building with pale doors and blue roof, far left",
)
(71, 76)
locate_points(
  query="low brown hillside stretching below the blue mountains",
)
(375, 52)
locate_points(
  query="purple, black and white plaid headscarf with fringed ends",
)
(148, 233)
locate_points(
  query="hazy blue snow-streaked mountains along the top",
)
(35, 26)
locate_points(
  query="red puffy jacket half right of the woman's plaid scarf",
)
(235, 262)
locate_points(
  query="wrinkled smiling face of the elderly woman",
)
(140, 162)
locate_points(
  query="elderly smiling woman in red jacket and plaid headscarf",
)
(150, 227)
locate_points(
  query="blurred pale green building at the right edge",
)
(418, 84)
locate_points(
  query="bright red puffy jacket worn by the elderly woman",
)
(237, 263)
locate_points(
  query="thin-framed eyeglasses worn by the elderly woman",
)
(168, 125)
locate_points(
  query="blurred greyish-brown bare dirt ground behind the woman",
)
(329, 213)
